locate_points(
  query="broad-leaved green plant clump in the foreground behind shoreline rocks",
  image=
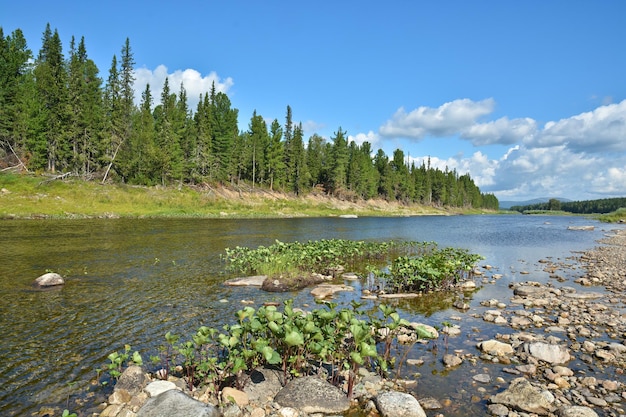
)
(329, 340)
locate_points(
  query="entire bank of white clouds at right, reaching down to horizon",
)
(579, 157)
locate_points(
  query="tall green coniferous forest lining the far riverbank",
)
(58, 114)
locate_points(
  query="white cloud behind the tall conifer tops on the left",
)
(194, 82)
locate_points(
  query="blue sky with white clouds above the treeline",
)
(528, 97)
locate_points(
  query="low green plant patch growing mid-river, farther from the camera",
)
(418, 266)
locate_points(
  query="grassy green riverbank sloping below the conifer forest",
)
(30, 196)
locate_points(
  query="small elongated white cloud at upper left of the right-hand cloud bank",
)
(448, 119)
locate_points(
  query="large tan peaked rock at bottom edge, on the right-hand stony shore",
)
(522, 396)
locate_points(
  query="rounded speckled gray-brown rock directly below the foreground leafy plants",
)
(311, 395)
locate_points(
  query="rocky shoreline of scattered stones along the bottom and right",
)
(559, 344)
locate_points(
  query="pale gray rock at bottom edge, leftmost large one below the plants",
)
(176, 403)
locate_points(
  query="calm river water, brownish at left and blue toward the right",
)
(131, 281)
